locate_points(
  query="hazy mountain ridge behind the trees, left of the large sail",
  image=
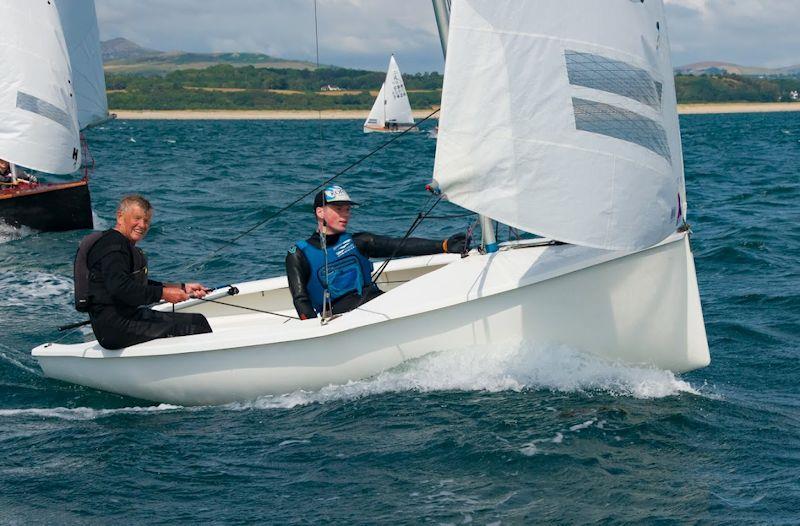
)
(121, 55)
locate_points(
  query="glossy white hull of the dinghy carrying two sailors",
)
(641, 308)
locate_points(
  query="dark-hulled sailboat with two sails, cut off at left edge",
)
(52, 87)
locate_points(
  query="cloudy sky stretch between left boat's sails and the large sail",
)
(354, 33)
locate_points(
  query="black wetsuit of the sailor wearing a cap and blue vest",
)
(298, 270)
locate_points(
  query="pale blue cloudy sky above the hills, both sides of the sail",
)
(363, 33)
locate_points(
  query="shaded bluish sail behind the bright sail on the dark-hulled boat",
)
(79, 22)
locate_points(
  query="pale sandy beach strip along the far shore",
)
(683, 109)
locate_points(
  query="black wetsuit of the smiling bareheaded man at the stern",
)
(118, 287)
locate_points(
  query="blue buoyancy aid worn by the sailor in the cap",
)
(348, 270)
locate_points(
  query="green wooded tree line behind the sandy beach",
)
(298, 89)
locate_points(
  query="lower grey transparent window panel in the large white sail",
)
(605, 119)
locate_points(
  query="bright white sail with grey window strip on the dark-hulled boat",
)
(38, 117)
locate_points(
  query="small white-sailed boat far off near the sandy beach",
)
(391, 111)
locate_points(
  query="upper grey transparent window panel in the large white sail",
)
(613, 76)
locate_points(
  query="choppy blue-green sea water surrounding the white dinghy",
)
(503, 435)
